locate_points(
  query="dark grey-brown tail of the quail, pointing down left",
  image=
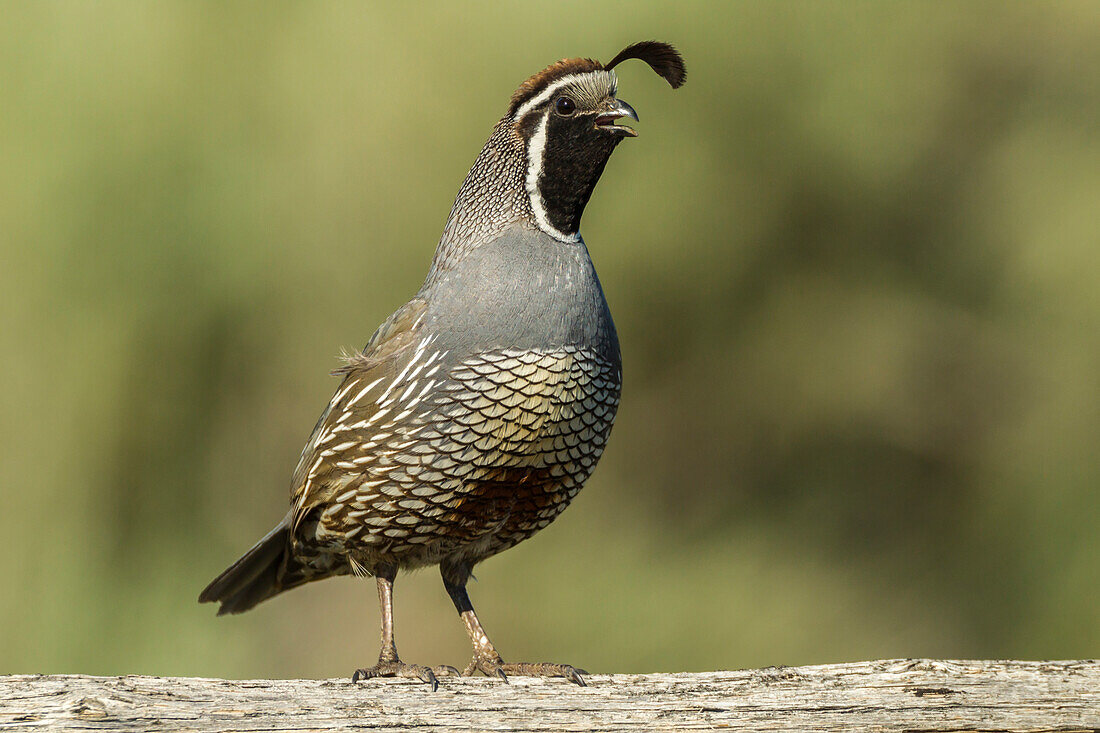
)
(255, 578)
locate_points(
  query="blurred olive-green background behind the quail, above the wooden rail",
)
(854, 265)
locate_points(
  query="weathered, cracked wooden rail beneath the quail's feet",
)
(897, 695)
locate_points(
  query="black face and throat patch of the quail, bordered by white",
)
(573, 162)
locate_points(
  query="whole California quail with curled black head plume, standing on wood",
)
(478, 410)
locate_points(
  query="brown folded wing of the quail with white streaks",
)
(367, 378)
